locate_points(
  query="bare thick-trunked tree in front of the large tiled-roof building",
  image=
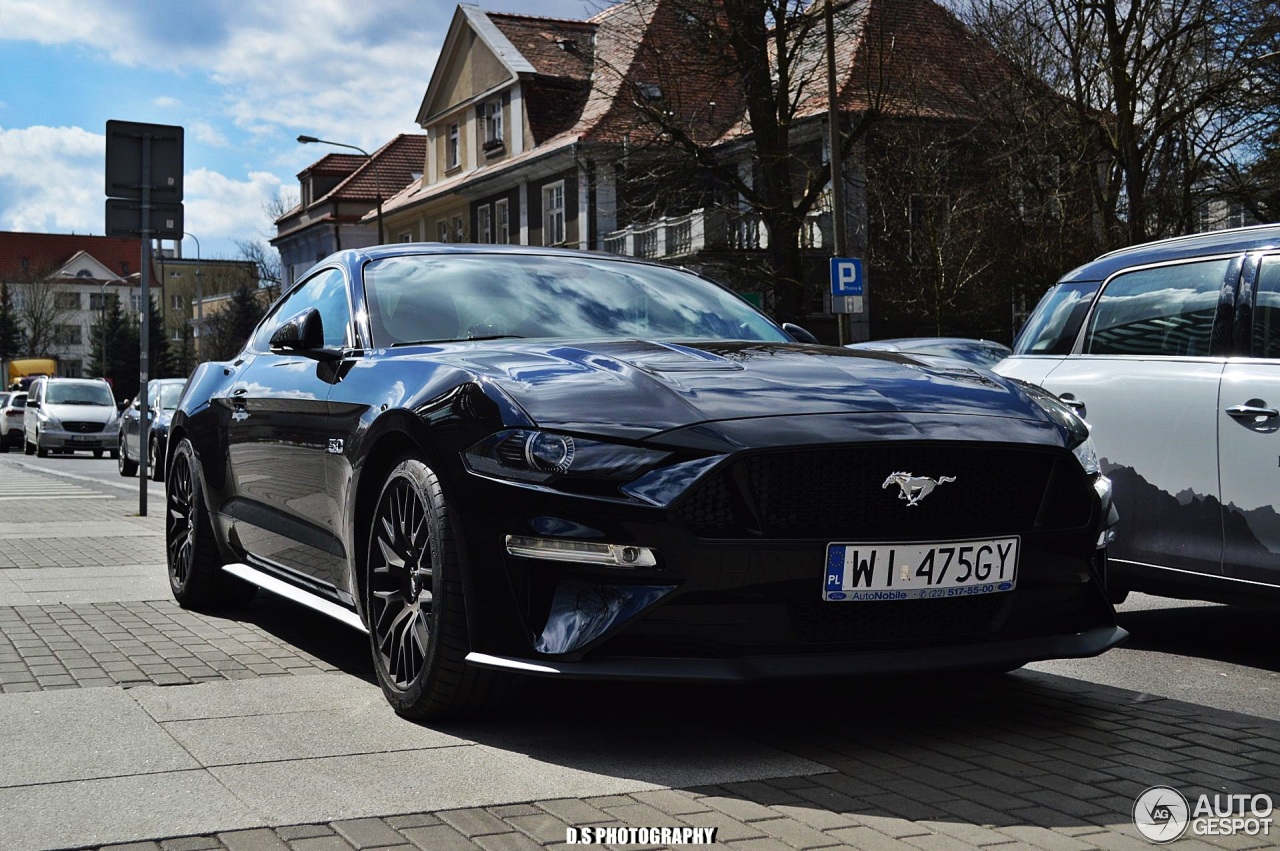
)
(723, 112)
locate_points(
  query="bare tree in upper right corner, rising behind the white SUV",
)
(1164, 94)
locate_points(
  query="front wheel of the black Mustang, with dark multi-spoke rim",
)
(414, 603)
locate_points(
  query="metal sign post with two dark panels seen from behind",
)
(144, 176)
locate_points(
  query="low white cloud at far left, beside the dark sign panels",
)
(52, 180)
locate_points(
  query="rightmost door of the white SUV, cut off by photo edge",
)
(1249, 427)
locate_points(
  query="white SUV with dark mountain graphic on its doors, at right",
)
(1172, 353)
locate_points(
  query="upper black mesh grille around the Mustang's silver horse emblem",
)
(838, 493)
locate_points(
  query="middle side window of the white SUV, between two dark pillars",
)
(1163, 312)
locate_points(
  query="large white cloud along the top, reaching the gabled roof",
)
(349, 71)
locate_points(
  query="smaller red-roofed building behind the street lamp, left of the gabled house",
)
(336, 194)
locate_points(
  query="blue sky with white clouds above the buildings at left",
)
(244, 77)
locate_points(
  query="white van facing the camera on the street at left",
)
(65, 415)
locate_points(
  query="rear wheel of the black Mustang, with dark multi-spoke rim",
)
(196, 575)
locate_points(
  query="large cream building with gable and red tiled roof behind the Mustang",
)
(545, 131)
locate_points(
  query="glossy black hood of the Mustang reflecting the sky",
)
(634, 388)
